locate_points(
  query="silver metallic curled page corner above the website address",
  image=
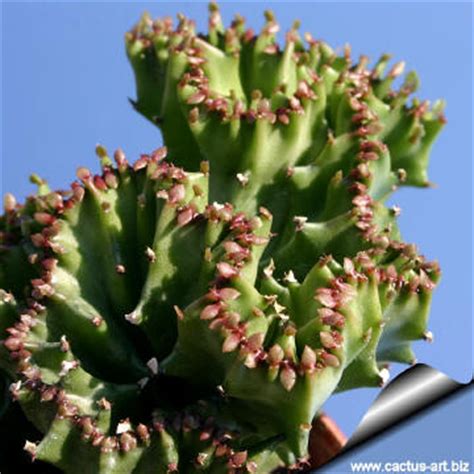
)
(411, 392)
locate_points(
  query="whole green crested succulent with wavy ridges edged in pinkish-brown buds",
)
(194, 311)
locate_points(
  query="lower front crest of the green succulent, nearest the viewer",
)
(85, 359)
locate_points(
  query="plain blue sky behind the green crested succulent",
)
(65, 83)
